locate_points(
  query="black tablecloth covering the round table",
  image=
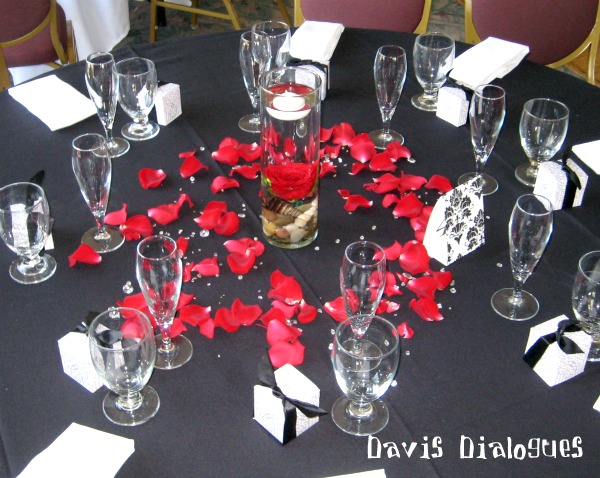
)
(459, 379)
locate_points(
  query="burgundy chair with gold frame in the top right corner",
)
(555, 31)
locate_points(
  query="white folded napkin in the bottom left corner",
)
(81, 451)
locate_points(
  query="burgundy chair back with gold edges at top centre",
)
(394, 15)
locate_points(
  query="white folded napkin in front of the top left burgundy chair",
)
(53, 101)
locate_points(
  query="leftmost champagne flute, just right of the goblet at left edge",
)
(93, 169)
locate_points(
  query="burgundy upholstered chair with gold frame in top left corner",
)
(33, 33)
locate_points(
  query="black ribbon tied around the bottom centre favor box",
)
(266, 377)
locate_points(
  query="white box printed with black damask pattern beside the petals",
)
(456, 224)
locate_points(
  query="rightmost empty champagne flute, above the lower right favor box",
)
(529, 231)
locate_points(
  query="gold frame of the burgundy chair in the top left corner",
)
(68, 56)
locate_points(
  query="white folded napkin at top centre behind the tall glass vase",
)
(316, 41)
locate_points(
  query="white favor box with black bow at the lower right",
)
(555, 366)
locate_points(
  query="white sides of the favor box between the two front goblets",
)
(270, 412)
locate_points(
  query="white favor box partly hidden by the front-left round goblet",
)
(77, 361)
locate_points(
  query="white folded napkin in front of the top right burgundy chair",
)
(492, 58)
